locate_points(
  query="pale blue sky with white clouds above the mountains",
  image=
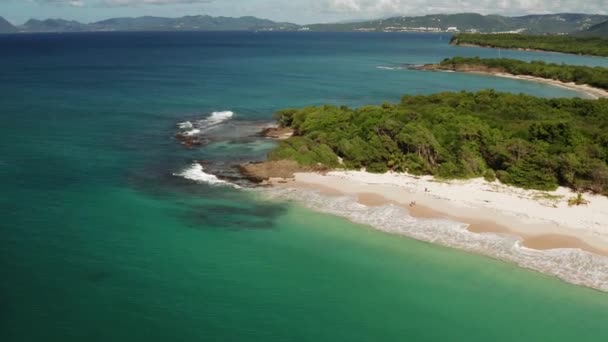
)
(298, 11)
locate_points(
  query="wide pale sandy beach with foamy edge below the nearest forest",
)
(533, 229)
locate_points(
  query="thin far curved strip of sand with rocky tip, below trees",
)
(592, 92)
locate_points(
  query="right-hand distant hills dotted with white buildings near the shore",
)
(473, 22)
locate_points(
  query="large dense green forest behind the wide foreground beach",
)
(521, 140)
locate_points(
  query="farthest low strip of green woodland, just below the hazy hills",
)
(568, 44)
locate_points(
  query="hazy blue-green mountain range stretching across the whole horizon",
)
(565, 23)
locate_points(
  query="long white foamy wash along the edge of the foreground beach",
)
(571, 265)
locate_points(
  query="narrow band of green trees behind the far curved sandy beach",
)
(593, 76)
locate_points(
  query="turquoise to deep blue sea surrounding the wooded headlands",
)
(109, 233)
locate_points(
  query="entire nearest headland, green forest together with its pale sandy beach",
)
(527, 177)
